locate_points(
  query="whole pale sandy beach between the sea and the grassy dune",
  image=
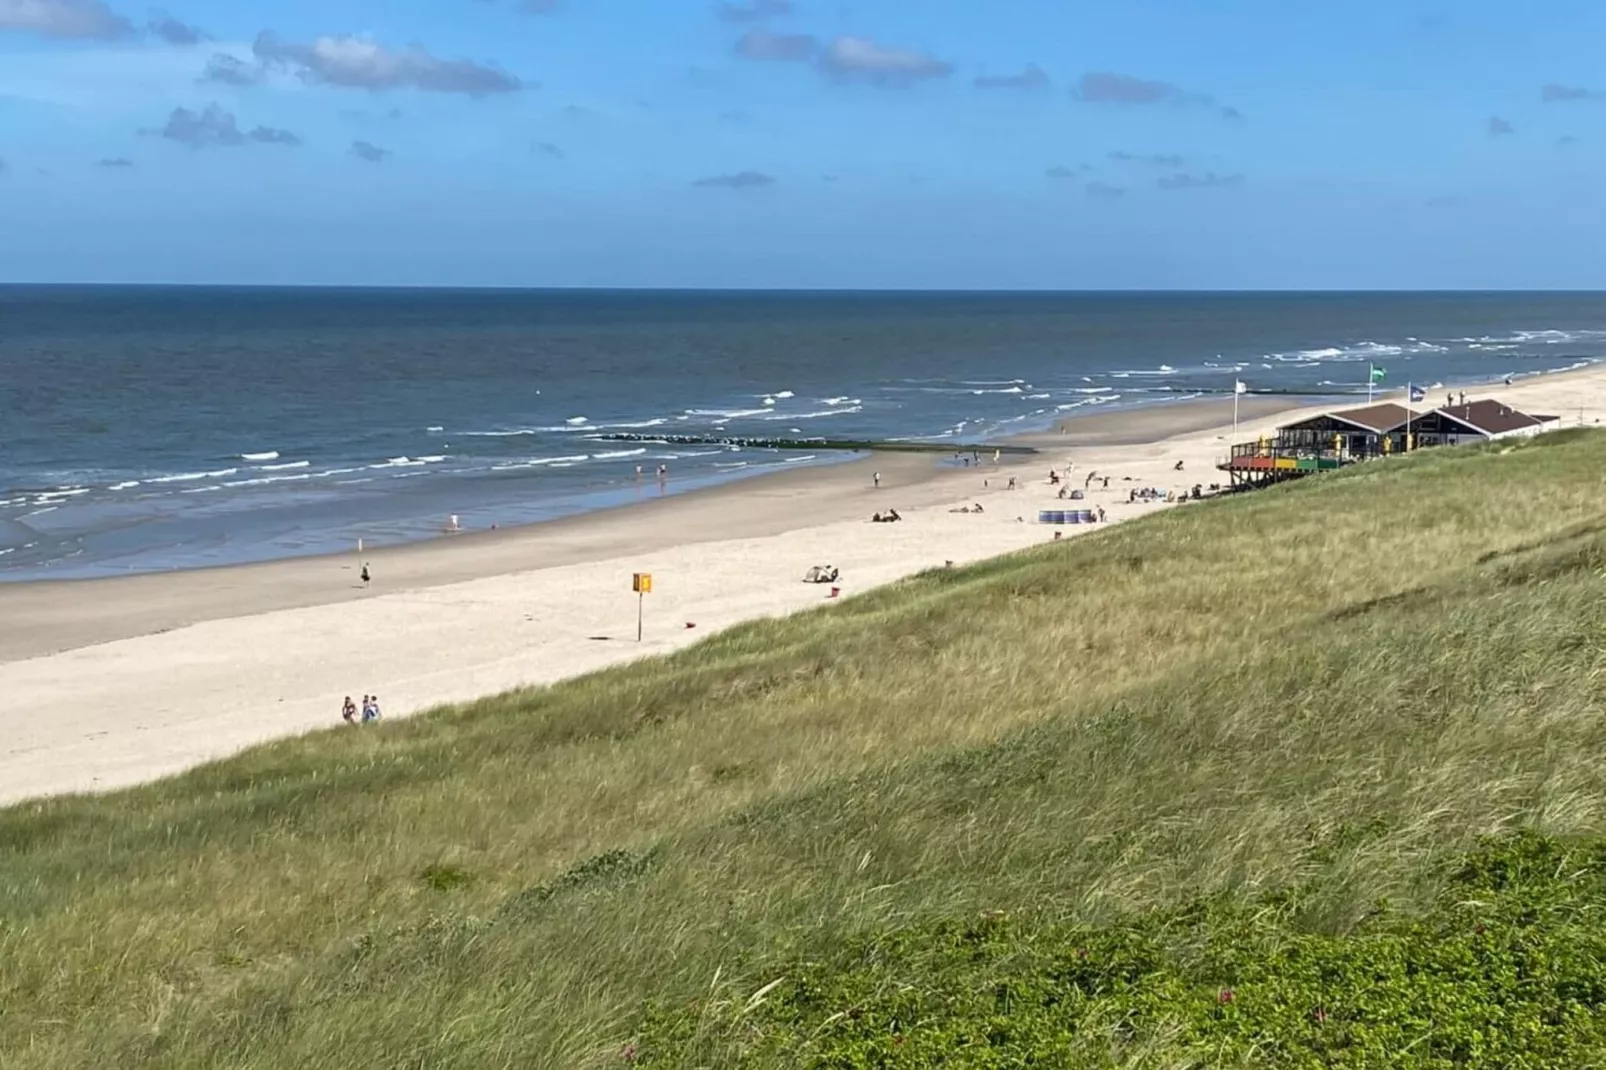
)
(116, 682)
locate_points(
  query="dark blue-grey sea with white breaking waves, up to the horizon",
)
(163, 428)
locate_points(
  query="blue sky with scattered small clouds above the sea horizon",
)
(807, 144)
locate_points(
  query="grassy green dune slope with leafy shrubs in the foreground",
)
(1313, 777)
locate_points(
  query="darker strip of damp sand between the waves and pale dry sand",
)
(68, 615)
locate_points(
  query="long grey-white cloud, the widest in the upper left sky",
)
(362, 63)
